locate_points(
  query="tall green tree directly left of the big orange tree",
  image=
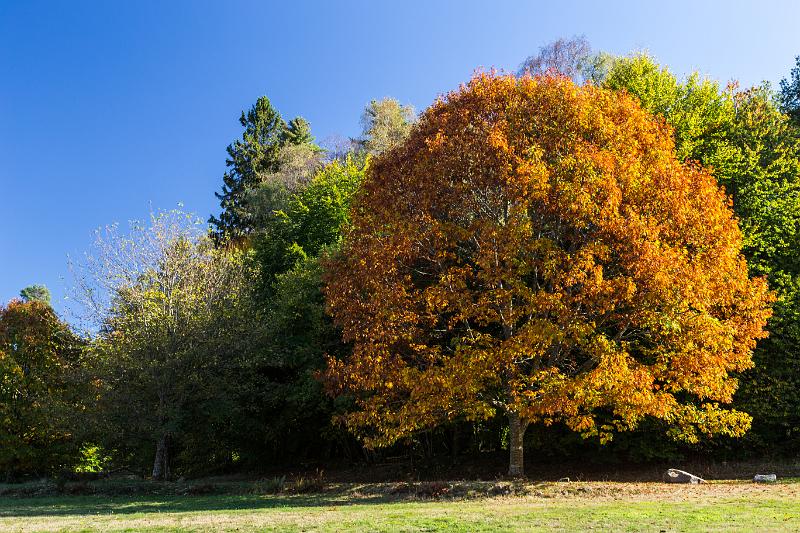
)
(283, 406)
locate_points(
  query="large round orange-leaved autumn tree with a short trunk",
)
(535, 249)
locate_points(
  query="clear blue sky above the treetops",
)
(108, 108)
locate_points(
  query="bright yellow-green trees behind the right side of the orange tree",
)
(754, 152)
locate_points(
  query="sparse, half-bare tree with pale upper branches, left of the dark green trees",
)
(173, 332)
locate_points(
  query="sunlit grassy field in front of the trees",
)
(467, 506)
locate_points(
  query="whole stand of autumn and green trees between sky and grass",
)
(589, 259)
